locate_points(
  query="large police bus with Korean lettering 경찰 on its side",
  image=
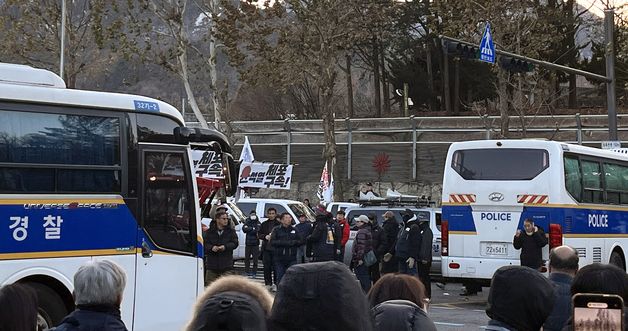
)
(89, 175)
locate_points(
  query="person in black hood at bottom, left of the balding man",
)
(520, 298)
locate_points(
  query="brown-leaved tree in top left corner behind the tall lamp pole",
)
(31, 35)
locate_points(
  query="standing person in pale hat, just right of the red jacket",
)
(361, 246)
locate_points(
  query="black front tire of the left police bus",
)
(51, 308)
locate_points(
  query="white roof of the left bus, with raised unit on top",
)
(27, 84)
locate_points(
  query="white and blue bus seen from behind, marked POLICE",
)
(578, 195)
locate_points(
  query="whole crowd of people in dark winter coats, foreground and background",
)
(385, 287)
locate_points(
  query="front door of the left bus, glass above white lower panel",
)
(167, 257)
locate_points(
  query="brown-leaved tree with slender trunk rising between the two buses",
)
(292, 42)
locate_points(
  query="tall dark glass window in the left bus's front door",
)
(167, 206)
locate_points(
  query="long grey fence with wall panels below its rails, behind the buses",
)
(415, 147)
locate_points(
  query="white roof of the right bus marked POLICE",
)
(538, 143)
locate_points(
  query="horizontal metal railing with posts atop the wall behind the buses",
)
(415, 131)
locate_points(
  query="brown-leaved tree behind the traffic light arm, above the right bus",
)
(517, 28)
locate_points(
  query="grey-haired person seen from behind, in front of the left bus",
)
(98, 290)
